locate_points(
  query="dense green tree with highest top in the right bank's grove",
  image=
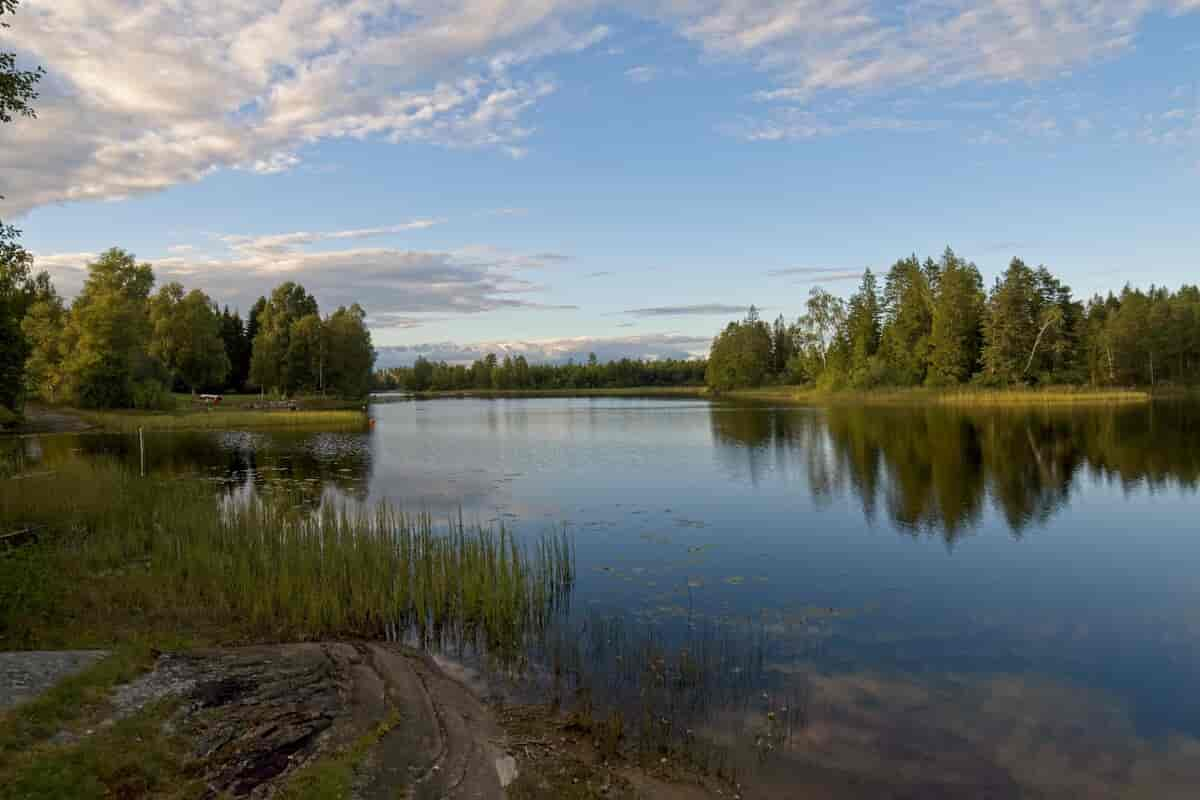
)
(957, 336)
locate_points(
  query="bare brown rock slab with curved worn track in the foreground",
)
(256, 715)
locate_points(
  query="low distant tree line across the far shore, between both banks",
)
(517, 374)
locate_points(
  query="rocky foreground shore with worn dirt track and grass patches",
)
(333, 719)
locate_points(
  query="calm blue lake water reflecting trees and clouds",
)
(896, 603)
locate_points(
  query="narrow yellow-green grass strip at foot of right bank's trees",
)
(961, 396)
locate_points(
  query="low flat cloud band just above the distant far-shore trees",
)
(649, 346)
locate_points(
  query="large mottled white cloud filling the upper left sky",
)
(142, 97)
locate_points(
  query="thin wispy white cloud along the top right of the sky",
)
(814, 46)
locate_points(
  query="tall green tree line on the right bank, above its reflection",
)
(933, 324)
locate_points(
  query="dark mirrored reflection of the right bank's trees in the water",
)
(937, 470)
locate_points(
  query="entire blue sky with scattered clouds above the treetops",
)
(563, 177)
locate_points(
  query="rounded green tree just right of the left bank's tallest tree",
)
(187, 336)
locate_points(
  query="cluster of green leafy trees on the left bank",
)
(121, 345)
